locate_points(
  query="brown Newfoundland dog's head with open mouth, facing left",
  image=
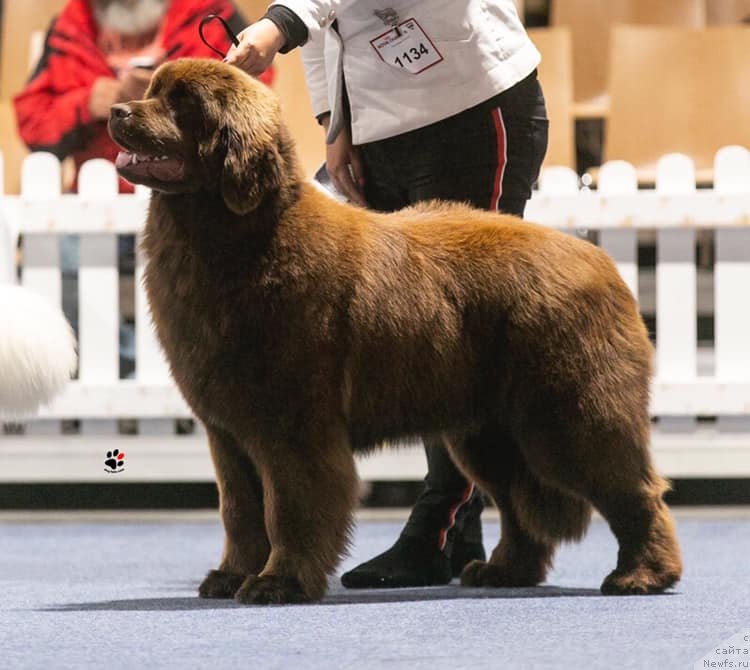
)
(204, 126)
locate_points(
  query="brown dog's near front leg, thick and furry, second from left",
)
(310, 495)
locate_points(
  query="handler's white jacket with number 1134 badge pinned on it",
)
(484, 48)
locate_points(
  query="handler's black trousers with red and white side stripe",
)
(489, 156)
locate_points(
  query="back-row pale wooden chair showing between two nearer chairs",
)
(590, 22)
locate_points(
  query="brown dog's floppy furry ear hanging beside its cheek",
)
(252, 165)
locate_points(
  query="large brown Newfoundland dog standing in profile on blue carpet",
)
(301, 331)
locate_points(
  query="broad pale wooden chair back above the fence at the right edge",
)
(677, 90)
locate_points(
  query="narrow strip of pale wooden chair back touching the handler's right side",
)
(556, 77)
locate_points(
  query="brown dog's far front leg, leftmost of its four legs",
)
(246, 545)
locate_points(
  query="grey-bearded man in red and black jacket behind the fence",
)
(100, 52)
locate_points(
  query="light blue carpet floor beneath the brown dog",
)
(122, 595)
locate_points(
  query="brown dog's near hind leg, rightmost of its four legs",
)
(610, 465)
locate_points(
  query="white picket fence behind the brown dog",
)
(701, 396)
